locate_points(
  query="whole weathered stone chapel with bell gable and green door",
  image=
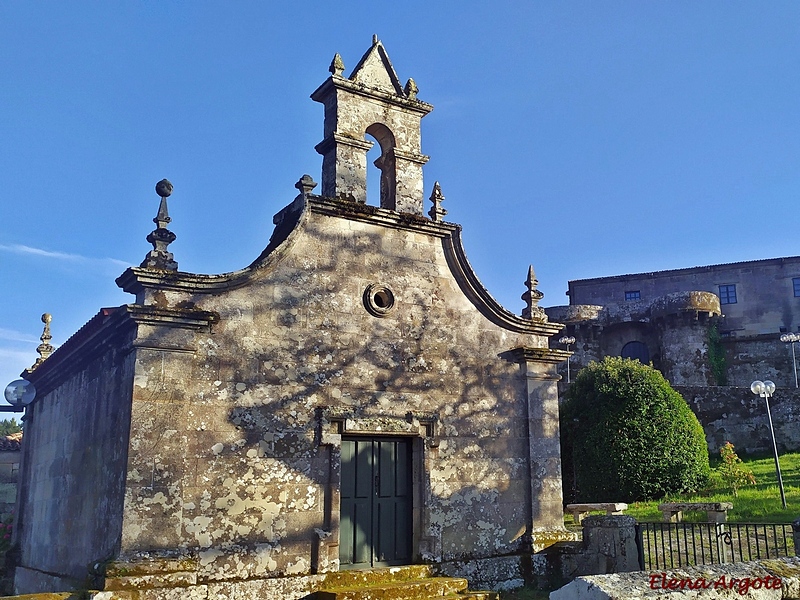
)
(352, 399)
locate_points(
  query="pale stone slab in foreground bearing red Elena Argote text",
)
(758, 580)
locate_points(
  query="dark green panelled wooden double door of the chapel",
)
(375, 523)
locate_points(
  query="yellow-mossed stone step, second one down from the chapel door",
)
(430, 587)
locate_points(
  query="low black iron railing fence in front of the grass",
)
(670, 545)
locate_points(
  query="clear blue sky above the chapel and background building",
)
(586, 138)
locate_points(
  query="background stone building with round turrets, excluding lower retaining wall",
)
(756, 301)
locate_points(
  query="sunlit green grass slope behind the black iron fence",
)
(759, 503)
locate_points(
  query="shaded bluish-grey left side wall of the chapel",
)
(73, 465)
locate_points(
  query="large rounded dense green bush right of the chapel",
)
(629, 436)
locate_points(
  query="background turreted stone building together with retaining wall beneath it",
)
(710, 330)
